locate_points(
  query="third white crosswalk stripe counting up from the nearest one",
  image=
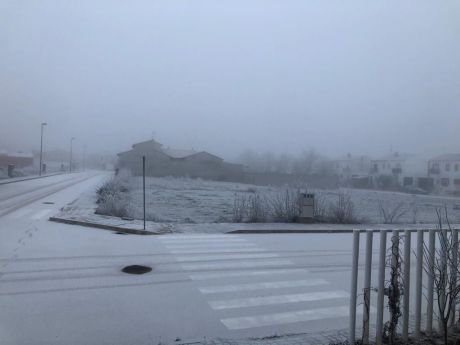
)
(261, 286)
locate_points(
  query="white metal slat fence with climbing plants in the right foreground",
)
(425, 253)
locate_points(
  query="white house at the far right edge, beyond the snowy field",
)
(445, 172)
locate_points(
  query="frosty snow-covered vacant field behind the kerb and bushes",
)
(182, 200)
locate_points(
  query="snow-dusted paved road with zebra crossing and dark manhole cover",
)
(62, 283)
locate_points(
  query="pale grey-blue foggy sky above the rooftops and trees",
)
(223, 76)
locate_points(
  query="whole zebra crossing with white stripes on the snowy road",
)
(248, 286)
